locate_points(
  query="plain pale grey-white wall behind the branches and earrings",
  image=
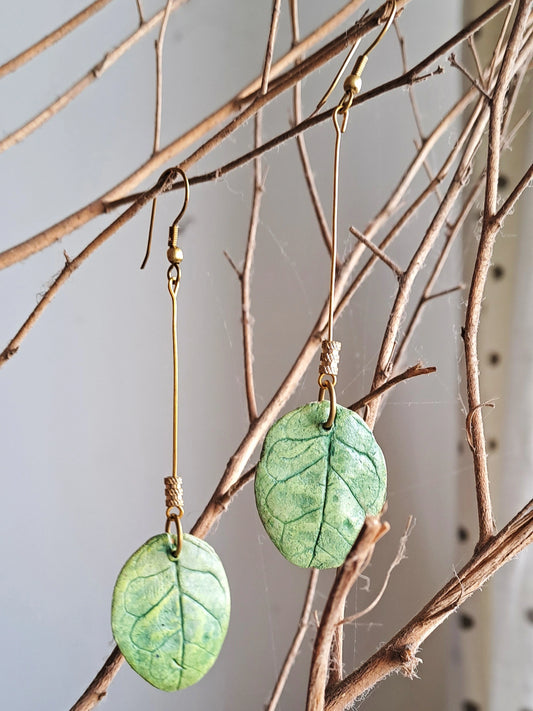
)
(86, 418)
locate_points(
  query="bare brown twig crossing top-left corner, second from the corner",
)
(91, 76)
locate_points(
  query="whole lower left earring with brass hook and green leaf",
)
(171, 602)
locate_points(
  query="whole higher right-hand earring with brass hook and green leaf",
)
(321, 470)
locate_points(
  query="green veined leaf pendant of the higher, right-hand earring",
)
(313, 487)
